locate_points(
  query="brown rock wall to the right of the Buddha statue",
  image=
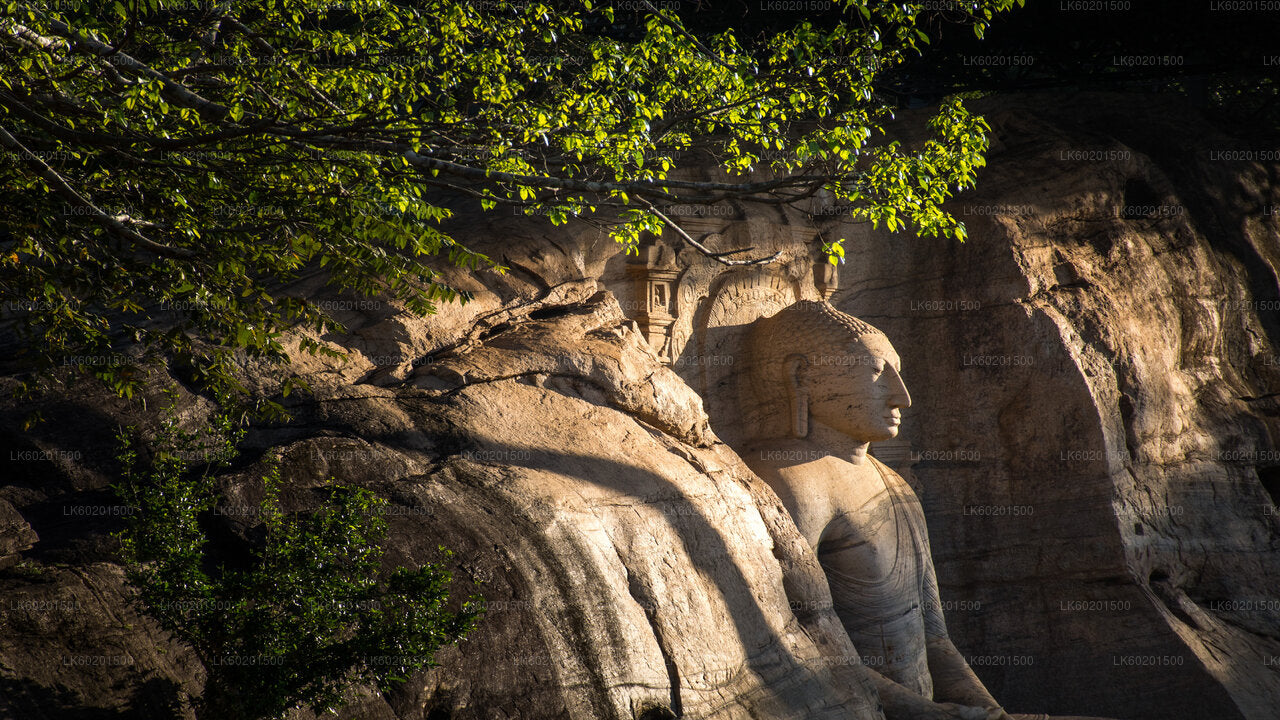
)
(1095, 381)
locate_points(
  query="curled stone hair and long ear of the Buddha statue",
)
(807, 329)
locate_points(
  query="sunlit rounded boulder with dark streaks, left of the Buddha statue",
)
(634, 567)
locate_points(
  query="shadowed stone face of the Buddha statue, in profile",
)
(858, 391)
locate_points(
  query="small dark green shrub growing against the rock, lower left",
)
(307, 616)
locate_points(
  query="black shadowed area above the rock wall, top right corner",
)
(1212, 54)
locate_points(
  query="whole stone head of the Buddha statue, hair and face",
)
(812, 364)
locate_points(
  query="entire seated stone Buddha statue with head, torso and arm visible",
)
(826, 386)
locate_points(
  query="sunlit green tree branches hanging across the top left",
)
(170, 165)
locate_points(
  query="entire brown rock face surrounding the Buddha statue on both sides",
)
(1095, 382)
